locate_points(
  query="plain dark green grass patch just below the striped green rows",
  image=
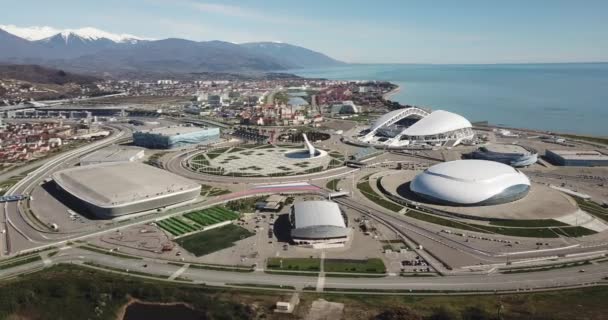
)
(213, 240)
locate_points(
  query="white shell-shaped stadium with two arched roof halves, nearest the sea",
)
(416, 127)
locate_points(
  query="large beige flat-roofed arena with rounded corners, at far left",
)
(109, 190)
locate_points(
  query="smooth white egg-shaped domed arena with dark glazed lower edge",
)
(470, 183)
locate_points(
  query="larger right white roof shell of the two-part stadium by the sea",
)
(436, 123)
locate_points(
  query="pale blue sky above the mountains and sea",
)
(380, 31)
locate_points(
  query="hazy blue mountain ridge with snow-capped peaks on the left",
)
(94, 53)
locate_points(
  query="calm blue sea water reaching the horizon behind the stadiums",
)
(558, 97)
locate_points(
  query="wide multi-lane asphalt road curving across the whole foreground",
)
(565, 277)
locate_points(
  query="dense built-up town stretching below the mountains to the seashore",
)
(295, 101)
